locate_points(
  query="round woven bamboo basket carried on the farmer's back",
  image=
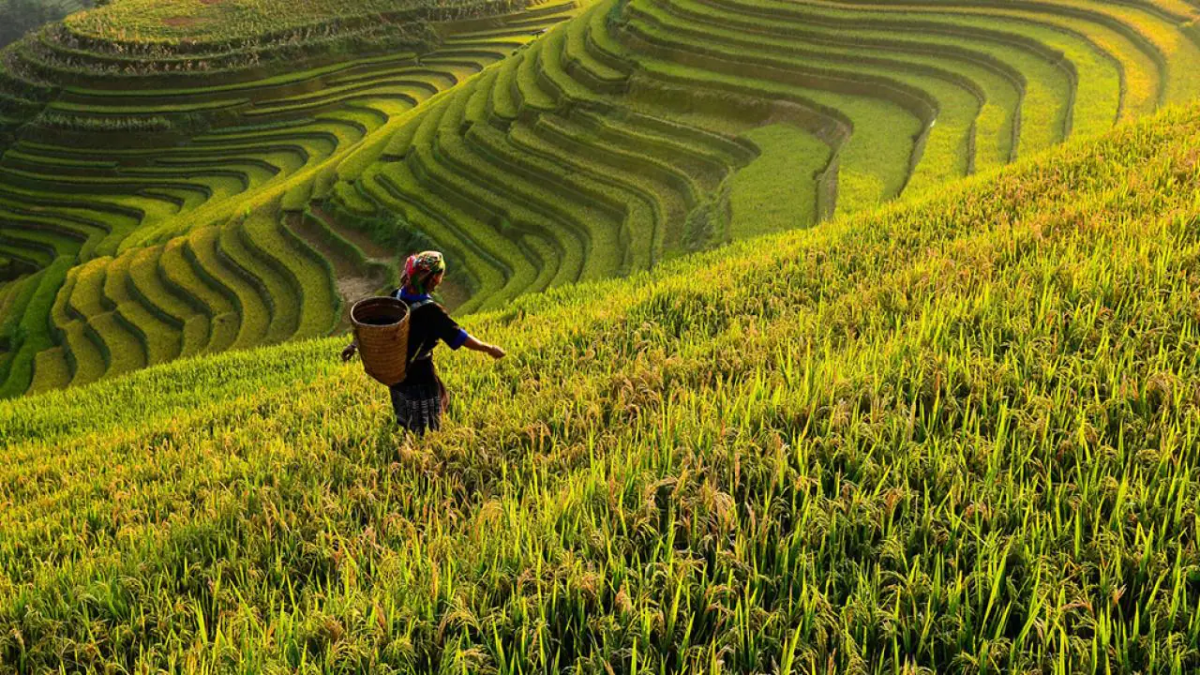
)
(381, 328)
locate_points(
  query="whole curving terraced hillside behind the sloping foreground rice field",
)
(166, 196)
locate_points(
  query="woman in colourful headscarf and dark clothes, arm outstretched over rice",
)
(421, 399)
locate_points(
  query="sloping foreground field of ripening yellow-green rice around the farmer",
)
(958, 434)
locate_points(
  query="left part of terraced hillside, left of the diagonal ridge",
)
(141, 212)
